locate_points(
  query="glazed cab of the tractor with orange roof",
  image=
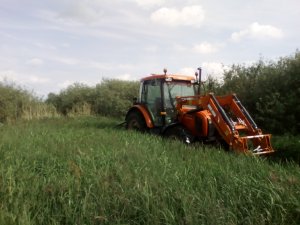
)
(158, 93)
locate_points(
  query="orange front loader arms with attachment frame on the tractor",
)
(233, 122)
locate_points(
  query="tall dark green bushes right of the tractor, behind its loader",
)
(269, 90)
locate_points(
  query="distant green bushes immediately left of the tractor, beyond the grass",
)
(108, 98)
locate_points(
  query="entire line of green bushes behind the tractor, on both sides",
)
(270, 90)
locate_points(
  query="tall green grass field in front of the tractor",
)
(85, 171)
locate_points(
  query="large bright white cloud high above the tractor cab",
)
(187, 16)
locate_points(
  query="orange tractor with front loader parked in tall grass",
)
(171, 105)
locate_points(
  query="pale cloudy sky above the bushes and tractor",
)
(48, 45)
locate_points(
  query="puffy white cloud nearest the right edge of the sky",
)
(258, 31)
